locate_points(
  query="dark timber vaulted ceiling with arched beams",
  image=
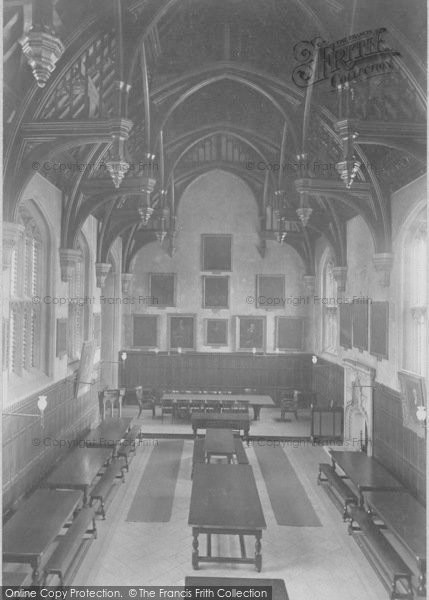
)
(215, 84)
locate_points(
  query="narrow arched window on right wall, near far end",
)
(329, 308)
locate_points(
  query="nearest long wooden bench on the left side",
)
(68, 547)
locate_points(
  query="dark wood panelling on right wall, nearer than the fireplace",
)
(401, 450)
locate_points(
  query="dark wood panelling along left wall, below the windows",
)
(29, 451)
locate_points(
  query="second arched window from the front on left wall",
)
(78, 306)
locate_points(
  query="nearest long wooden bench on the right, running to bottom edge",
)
(382, 556)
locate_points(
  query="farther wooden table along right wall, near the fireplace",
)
(364, 472)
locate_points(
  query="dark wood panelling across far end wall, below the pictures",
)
(216, 371)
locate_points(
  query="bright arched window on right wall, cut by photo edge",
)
(414, 297)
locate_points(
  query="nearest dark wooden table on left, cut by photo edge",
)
(36, 524)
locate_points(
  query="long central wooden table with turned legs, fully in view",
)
(225, 501)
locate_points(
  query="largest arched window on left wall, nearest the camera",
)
(27, 335)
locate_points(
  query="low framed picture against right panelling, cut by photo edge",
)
(413, 395)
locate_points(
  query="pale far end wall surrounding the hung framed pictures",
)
(221, 203)
